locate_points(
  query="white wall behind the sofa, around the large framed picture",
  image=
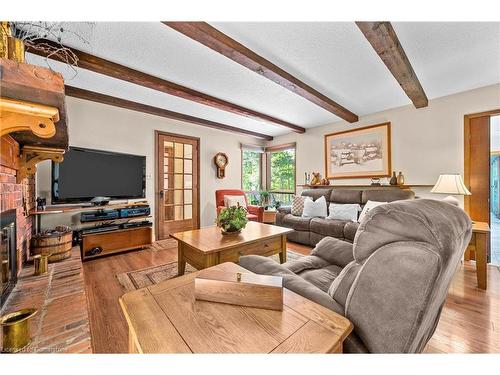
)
(425, 142)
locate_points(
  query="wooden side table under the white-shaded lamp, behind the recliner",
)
(478, 251)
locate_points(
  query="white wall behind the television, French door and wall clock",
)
(99, 126)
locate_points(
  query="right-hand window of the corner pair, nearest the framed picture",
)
(280, 164)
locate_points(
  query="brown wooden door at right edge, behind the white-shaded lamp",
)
(477, 167)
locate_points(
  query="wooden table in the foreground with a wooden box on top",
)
(165, 318)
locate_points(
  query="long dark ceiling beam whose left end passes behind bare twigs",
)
(111, 69)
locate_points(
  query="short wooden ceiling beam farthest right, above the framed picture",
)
(385, 42)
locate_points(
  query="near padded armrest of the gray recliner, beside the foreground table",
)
(291, 281)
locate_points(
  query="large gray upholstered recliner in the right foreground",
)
(391, 283)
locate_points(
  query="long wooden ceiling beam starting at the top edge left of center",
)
(209, 36)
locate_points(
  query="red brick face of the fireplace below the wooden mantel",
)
(18, 197)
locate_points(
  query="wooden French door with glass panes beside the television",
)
(177, 184)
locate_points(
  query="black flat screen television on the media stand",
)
(85, 174)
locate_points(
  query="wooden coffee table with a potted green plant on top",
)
(207, 247)
